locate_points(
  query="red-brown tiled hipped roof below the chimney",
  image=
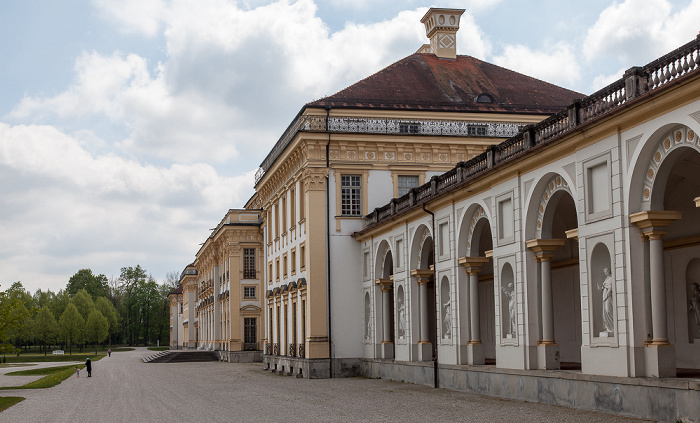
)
(423, 81)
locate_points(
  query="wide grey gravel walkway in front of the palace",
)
(124, 389)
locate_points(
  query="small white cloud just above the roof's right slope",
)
(557, 64)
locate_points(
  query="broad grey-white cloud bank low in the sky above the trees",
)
(67, 209)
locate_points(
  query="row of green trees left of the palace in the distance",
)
(132, 309)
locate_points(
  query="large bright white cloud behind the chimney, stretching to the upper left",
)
(203, 94)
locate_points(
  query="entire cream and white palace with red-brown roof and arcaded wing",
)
(449, 222)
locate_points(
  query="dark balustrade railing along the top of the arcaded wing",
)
(636, 82)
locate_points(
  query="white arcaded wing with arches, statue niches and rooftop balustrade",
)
(574, 245)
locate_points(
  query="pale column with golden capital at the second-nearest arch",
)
(547, 348)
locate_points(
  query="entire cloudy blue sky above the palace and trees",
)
(128, 128)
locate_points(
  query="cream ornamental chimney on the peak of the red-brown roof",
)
(441, 26)
